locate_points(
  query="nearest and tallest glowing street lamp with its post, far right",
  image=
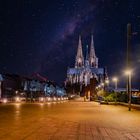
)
(129, 73)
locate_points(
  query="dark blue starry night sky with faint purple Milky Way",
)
(41, 36)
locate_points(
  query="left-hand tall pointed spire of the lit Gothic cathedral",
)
(79, 57)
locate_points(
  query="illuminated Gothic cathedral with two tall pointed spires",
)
(86, 71)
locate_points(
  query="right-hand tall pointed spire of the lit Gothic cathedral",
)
(92, 57)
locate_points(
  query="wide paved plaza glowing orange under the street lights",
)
(68, 121)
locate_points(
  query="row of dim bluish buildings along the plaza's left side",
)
(29, 87)
